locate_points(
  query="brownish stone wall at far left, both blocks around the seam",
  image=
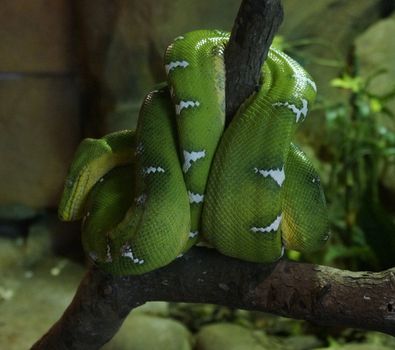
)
(39, 99)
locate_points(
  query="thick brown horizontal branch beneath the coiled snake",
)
(323, 295)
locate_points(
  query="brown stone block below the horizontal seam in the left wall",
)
(40, 131)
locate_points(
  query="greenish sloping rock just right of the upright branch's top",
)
(327, 46)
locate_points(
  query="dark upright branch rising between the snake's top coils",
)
(253, 31)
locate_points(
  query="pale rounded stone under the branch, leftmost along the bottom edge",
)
(142, 332)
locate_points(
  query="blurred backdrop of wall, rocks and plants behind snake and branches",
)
(71, 69)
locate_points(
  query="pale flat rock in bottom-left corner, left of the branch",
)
(35, 286)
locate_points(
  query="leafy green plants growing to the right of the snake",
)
(360, 145)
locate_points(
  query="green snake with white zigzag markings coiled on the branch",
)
(146, 196)
